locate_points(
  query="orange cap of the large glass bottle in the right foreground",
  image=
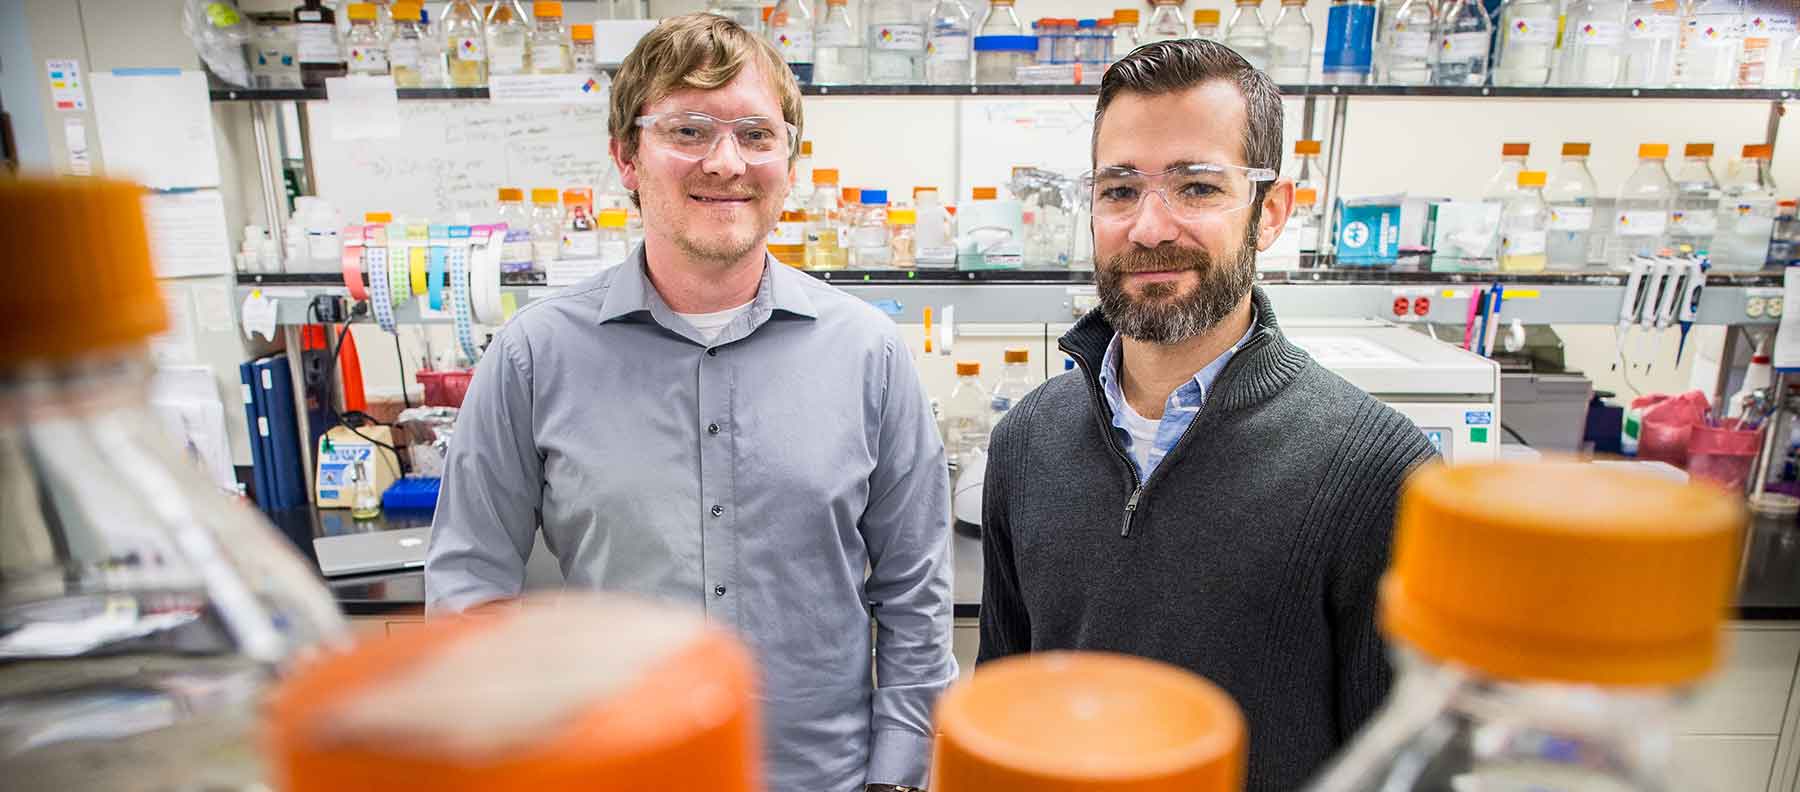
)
(1563, 573)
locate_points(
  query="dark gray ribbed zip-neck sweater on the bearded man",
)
(1250, 557)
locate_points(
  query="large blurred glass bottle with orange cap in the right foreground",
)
(1545, 645)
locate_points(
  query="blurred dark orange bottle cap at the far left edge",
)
(84, 280)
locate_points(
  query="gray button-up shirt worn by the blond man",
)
(787, 480)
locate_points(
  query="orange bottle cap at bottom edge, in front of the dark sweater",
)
(1086, 721)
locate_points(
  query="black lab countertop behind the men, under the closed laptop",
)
(1770, 589)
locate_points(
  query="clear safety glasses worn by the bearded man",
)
(1191, 192)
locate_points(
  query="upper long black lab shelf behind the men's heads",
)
(1054, 91)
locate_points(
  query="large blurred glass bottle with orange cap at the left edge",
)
(147, 607)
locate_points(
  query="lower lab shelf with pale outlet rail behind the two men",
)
(1061, 296)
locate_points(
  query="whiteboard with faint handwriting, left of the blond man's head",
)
(453, 157)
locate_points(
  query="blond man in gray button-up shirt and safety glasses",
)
(710, 427)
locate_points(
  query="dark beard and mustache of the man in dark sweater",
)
(1162, 314)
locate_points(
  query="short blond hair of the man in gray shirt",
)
(696, 51)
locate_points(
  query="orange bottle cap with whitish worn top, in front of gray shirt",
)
(667, 705)
